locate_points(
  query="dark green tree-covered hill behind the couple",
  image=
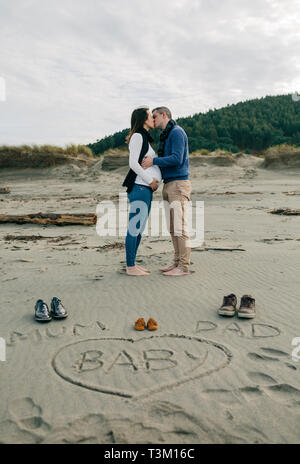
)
(251, 126)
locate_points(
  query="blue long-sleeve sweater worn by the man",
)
(174, 164)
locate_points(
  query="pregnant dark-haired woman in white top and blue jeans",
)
(140, 183)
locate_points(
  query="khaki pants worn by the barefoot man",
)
(177, 193)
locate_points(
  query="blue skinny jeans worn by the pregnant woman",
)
(140, 199)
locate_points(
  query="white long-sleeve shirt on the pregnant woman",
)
(144, 176)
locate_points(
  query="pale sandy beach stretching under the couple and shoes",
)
(200, 378)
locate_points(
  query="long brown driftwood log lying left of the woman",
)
(85, 219)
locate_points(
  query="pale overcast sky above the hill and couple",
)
(74, 70)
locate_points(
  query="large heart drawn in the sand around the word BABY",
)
(133, 368)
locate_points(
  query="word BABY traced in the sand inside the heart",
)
(154, 359)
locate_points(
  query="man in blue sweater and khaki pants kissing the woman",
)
(173, 160)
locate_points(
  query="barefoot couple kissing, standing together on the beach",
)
(147, 170)
